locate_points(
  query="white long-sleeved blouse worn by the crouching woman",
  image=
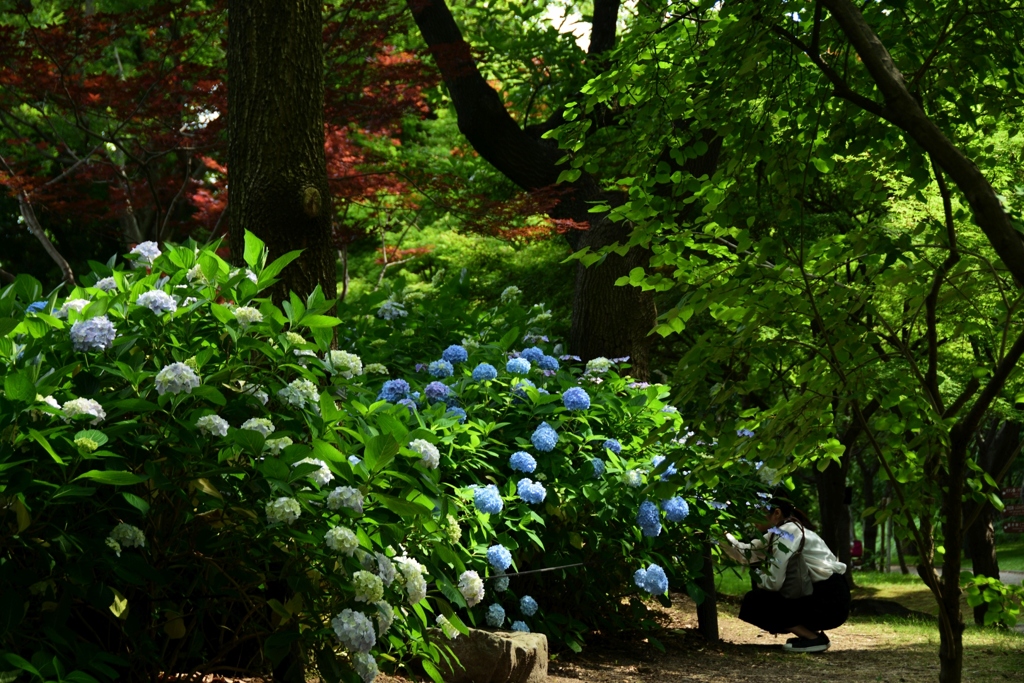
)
(821, 562)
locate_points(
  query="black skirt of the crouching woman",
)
(828, 608)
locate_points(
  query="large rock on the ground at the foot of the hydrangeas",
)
(498, 657)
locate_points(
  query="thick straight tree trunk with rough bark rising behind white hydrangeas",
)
(276, 154)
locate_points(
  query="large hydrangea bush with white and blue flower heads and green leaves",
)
(195, 479)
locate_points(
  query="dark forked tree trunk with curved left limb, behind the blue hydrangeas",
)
(608, 321)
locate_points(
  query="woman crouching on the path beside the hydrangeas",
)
(783, 601)
